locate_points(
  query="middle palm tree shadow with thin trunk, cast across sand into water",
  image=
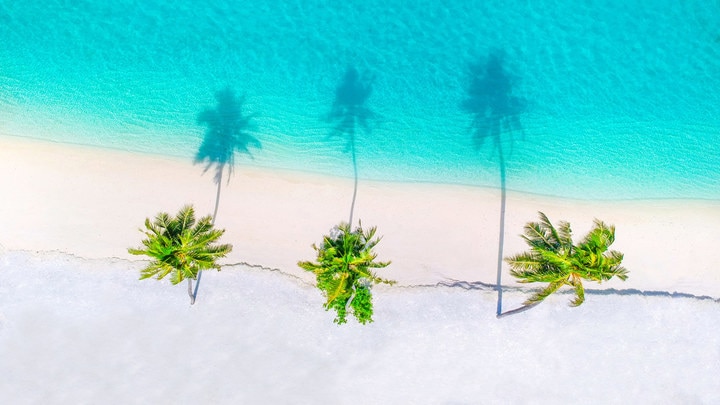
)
(349, 113)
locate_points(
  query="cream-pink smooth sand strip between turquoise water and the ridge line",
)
(90, 202)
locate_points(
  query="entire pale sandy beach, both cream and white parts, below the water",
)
(77, 326)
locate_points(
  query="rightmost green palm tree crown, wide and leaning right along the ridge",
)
(554, 259)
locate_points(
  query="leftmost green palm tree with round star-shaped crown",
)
(181, 247)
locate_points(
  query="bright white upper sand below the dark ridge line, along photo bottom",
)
(87, 331)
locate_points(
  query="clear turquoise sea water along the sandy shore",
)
(614, 99)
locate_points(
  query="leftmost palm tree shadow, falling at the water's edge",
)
(228, 131)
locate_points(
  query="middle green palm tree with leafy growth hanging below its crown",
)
(343, 271)
